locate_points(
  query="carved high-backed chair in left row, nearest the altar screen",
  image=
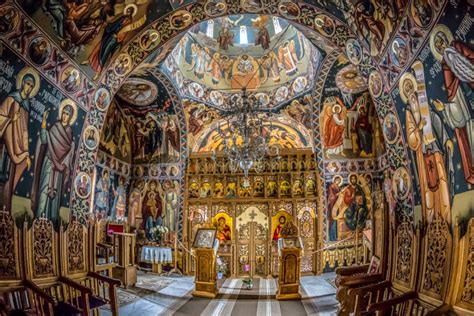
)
(75, 267)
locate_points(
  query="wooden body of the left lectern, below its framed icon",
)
(205, 275)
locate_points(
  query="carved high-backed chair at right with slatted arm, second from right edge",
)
(392, 297)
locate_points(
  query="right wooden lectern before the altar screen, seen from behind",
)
(290, 252)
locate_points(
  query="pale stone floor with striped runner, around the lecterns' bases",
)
(318, 298)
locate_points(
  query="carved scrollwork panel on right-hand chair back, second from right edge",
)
(436, 256)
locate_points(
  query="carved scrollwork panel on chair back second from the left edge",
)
(43, 261)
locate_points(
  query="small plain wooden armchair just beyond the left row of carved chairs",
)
(102, 259)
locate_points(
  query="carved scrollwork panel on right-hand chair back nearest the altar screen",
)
(404, 252)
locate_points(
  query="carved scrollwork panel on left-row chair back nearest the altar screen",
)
(75, 246)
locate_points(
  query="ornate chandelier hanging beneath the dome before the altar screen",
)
(245, 136)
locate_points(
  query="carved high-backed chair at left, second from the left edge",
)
(51, 293)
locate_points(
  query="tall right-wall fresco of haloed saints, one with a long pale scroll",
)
(437, 123)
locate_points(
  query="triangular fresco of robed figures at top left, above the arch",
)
(92, 33)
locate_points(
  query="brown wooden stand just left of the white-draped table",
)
(126, 270)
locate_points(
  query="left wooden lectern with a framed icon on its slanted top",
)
(205, 253)
